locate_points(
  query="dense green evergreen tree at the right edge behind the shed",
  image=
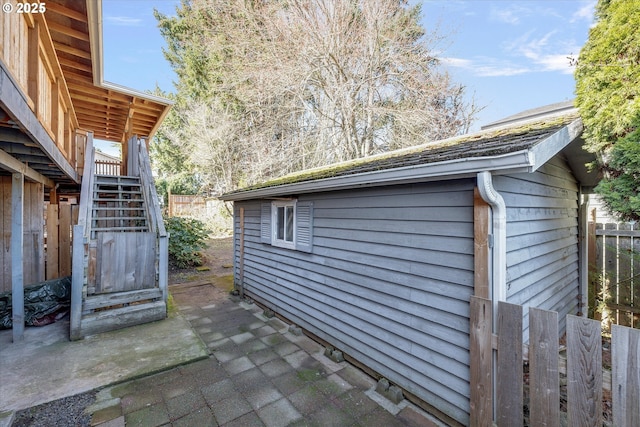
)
(607, 86)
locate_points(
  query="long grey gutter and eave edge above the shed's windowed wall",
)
(515, 162)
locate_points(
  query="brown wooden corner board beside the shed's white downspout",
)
(481, 231)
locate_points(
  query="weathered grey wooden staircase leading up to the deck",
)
(120, 250)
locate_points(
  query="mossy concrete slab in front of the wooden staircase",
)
(47, 366)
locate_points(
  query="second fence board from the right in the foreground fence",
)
(584, 372)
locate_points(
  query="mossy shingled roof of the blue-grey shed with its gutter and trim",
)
(522, 147)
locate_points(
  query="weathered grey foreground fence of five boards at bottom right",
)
(583, 369)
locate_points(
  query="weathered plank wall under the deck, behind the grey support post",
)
(33, 229)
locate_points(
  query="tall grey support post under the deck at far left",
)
(17, 273)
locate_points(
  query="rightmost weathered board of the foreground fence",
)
(625, 354)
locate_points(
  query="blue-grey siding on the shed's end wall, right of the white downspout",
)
(542, 239)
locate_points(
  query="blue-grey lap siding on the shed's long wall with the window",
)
(388, 282)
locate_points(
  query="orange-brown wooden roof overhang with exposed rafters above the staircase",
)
(111, 112)
